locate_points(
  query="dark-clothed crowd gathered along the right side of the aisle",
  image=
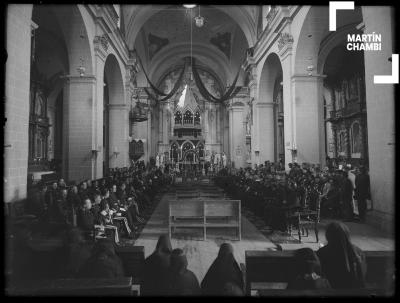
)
(268, 186)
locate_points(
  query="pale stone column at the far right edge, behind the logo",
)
(380, 117)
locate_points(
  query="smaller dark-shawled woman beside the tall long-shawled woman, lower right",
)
(308, 271)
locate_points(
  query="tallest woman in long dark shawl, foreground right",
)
(342, 262)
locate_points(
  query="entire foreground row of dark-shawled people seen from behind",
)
(337, 265)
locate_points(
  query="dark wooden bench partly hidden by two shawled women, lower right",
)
(276, 268)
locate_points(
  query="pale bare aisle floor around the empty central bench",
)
(200, 253)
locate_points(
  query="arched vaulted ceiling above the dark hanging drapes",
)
(160, 32)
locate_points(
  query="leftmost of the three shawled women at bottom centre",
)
(156, 268)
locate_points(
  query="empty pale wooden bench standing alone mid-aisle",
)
(198, 213)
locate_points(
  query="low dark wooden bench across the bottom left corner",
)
(74, 287)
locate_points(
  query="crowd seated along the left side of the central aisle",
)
(119, 200)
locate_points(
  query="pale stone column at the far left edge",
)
(18, 65)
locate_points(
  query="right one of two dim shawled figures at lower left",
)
(103, 264)
